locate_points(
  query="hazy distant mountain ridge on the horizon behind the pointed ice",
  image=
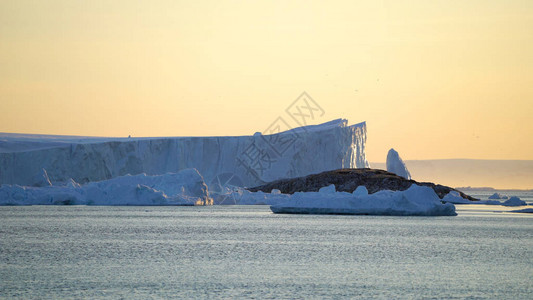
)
(498, 174)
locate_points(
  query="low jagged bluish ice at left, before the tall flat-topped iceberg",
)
(185, 187)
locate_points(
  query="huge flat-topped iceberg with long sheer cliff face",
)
(242, 160)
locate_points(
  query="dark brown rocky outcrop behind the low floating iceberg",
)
(347, 180)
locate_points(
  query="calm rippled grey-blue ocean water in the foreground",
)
(247, 252)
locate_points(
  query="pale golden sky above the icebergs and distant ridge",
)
(433, 79)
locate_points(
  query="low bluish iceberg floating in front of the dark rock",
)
(415, 201)
